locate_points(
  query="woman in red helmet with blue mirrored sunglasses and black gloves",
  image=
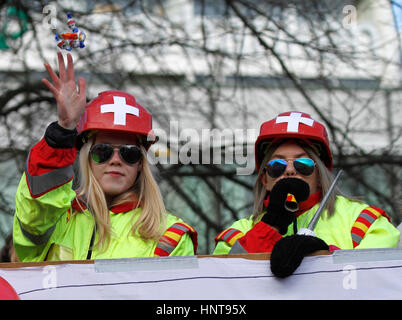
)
(294, 164)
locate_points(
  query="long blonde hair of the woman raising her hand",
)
(151, 221)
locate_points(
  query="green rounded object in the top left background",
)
(14, 26)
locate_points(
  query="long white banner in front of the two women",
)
(346, 274)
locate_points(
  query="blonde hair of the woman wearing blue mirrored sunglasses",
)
(325, 179)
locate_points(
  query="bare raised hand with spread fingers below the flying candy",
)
(70, 102)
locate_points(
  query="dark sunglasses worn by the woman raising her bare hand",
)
(101, 153)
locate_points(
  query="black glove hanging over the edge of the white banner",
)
(289, 252)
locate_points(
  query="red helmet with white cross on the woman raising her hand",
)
(115, 111)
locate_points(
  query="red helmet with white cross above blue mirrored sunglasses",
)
(293, 125)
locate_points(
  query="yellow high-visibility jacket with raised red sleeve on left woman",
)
(49, 225)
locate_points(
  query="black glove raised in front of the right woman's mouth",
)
(277, 216)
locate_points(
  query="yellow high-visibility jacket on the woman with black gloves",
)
(354, 224)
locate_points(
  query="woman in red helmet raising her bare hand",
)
(117, 210)
